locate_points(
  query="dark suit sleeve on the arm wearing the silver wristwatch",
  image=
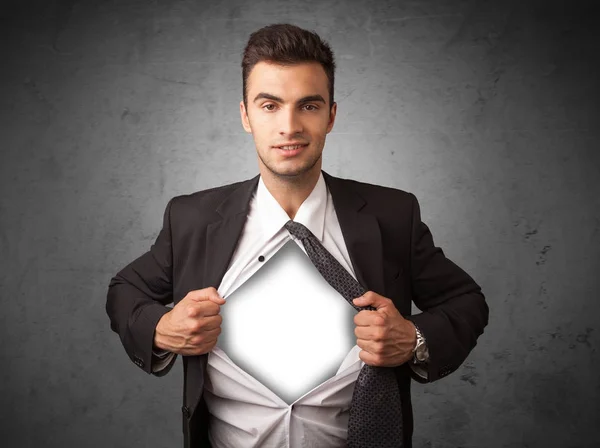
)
(455, 312)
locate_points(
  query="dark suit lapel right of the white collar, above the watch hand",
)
(361, 233)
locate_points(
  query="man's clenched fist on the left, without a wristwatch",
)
(193, 325)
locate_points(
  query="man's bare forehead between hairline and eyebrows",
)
(301, 78)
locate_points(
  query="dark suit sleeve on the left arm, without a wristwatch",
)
(137, 298)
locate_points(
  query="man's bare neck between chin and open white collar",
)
(290, 191)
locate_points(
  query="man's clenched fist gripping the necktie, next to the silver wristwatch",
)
(386, 338)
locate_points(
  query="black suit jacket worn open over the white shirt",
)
(391, 250)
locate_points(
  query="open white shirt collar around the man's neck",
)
(311, 213)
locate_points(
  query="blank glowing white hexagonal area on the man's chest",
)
(286, 326)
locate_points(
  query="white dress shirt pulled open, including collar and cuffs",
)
(245, 412)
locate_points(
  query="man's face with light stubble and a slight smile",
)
(288, 104)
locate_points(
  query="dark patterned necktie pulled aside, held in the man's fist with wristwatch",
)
(375, 419)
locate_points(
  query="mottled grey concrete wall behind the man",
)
(487, 111)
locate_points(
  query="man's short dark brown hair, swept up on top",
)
(287, 44)
